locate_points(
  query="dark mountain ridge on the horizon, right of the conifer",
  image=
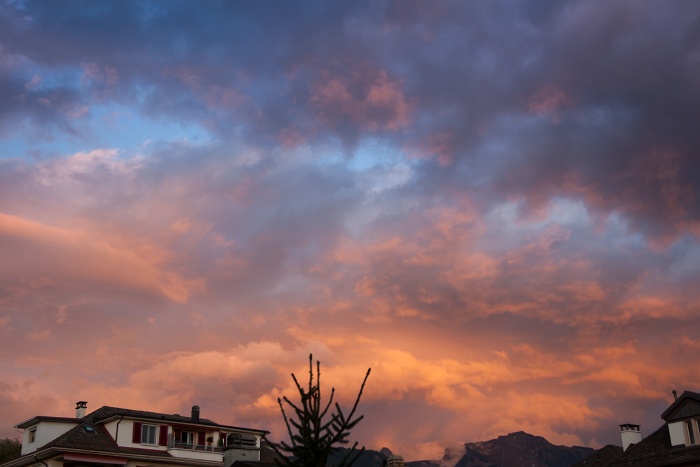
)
(513, 450)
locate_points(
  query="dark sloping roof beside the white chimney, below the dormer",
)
(655, 450)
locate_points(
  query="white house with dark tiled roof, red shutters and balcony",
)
(116, 437)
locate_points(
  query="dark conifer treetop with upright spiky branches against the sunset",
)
(313, 439)
